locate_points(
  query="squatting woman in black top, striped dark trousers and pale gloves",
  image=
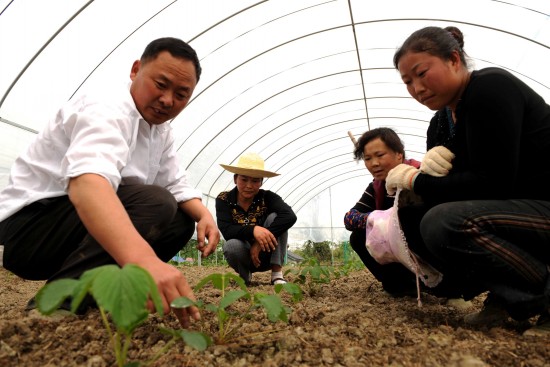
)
(488, 222)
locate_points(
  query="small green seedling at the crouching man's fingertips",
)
(229, 319)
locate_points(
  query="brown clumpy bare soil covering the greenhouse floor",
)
(349, 322)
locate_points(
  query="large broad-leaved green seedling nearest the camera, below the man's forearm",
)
(123, 294)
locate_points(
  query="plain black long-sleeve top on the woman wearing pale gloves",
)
(501, 142)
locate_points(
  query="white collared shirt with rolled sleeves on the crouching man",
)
(105, 135)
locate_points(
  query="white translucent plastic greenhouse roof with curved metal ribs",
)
(285, 78)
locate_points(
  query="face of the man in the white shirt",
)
(162, 87)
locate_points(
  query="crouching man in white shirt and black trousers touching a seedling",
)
(101, 183)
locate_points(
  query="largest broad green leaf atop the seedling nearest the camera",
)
(124, 294)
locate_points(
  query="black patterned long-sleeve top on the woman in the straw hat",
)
(235, 222)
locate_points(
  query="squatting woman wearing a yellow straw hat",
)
(254, 222)
